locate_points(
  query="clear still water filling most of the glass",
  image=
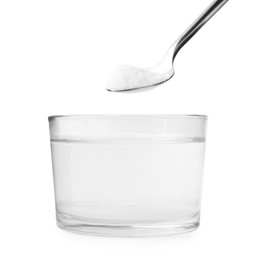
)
(128, 182)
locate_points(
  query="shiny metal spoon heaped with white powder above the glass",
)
(134, 79)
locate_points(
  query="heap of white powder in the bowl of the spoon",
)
(128, 77)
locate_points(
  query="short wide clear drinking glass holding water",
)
(128, 175)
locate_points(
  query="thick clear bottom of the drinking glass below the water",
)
(103, 228)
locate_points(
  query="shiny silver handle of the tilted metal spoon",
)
(197, 25)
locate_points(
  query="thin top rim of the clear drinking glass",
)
(205, 117)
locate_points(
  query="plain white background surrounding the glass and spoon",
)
(54, 58)
